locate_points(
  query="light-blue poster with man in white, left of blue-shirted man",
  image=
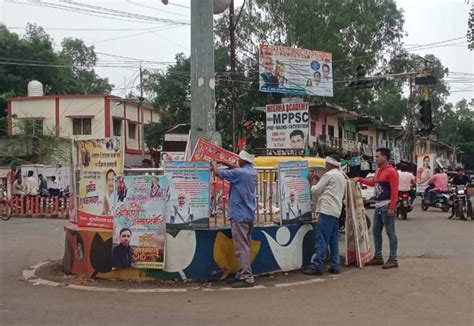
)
(189, 194)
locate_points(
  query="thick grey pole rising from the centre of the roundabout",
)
(203, 112)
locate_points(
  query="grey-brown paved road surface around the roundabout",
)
(433, 286)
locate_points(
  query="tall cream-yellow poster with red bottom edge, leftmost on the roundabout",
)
(100, 160)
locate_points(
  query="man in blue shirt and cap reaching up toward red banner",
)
(242, 206)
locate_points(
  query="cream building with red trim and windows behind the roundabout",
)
(82, 117)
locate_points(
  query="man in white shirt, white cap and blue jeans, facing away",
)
(329, 193)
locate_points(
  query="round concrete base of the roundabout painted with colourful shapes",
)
(204, 255)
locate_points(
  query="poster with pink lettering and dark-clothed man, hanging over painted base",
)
(139, 222)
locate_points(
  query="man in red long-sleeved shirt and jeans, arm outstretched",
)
(385, 182)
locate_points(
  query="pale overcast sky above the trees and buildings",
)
(157, 42)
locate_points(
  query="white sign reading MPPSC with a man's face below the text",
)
(287, 125)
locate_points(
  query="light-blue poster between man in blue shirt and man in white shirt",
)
(294, 191)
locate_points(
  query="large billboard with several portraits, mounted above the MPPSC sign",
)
(295, 71)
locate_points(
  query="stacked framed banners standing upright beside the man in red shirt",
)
(357, 233)
